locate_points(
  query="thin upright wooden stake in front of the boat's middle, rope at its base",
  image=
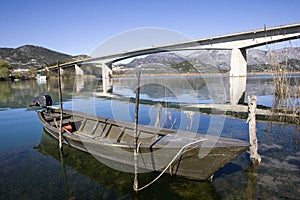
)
(136, 120)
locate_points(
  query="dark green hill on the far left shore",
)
(29, 56)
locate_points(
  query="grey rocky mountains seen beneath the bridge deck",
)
(212, 61)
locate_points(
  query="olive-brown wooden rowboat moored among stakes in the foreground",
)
(186, 154)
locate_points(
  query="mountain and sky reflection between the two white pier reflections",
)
(176, 89)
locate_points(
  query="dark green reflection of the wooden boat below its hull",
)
(121, 182)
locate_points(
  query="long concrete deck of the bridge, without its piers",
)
(246, 39)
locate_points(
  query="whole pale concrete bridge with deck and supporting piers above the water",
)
(238, 43)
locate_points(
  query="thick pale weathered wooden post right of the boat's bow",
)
(254, 156)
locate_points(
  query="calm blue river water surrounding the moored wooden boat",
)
(30, 166)
